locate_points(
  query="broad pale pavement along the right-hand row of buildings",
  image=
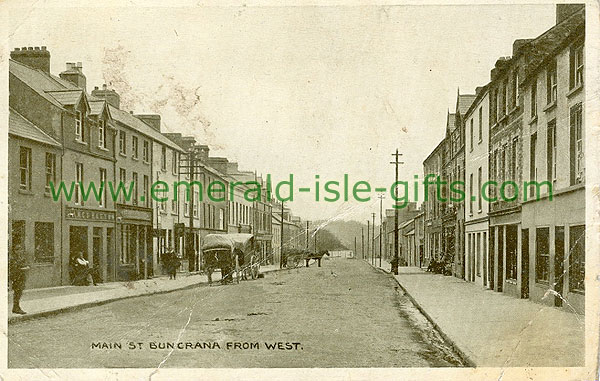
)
(493, 329)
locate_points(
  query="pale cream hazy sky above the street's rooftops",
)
(299, 90)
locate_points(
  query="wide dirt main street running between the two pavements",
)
(344, 314)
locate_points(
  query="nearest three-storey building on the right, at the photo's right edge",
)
(553, 221)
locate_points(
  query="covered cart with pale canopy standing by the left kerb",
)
(233, 254)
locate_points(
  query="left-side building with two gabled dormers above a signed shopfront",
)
(59, 107)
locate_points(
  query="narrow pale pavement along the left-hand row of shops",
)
(42, 302)
